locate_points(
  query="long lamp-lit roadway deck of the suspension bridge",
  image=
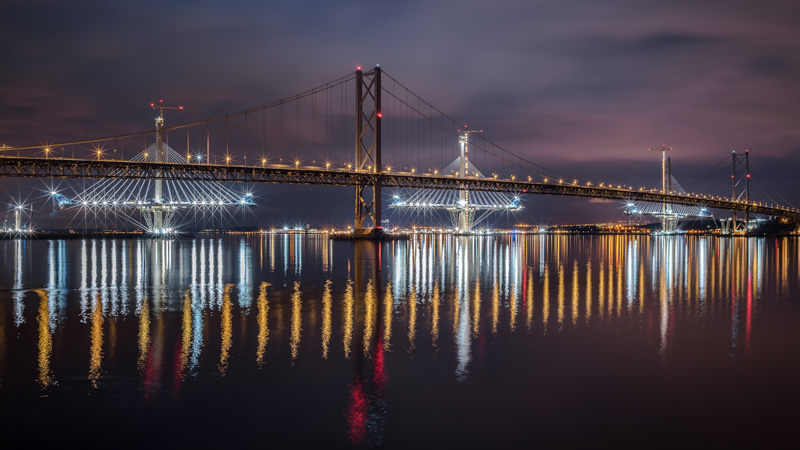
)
(283, 174)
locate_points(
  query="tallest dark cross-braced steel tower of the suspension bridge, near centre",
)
(368, 150)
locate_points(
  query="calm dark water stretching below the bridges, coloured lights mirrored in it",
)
(295, 341)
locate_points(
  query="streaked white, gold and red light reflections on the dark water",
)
(185, 307)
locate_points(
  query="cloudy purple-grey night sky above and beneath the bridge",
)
(581, 87)
